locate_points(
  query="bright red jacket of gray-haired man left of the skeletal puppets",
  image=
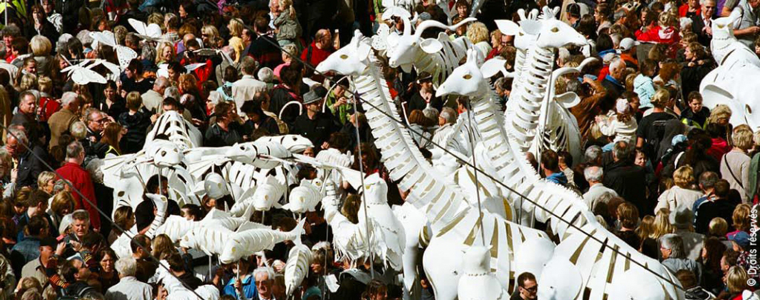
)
(81, 181)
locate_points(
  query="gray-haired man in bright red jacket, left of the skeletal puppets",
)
(79, 177)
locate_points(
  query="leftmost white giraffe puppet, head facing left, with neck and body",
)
(455, 225)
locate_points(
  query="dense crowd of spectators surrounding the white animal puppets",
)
(667, 175)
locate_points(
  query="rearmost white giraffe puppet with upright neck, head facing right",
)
(535, 115)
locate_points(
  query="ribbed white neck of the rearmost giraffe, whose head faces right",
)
(524, 107)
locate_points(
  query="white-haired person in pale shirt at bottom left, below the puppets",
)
(128, 288)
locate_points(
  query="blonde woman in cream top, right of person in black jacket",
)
(679, 195)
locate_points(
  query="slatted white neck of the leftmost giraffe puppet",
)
(401, 156)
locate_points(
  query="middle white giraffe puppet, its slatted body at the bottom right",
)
(599, 267)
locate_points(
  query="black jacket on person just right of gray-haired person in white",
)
(628, 181)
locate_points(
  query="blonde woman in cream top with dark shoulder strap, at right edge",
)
(735, 165)
